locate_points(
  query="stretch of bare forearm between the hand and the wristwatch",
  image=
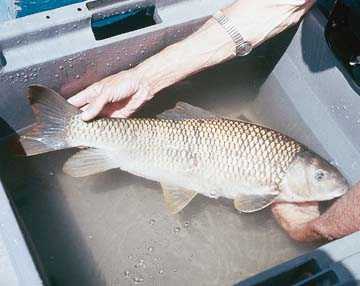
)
(208, 46)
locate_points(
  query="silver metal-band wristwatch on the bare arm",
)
(243, 47)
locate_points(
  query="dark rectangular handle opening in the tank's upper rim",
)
(124, 22)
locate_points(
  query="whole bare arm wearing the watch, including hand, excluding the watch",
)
(121, 94)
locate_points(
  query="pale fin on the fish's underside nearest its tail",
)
(88, 162)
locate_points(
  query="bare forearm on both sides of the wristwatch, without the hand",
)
(257, 21)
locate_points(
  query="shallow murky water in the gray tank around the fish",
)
(114, 229)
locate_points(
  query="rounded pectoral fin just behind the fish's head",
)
(248, 203)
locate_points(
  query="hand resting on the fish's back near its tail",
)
(118, 95)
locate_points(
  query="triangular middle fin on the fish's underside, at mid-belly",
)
(176, 198)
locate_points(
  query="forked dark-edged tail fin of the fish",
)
(52, 112)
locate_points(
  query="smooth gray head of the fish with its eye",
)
(311, 178)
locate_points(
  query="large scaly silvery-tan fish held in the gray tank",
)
(188, 150)
